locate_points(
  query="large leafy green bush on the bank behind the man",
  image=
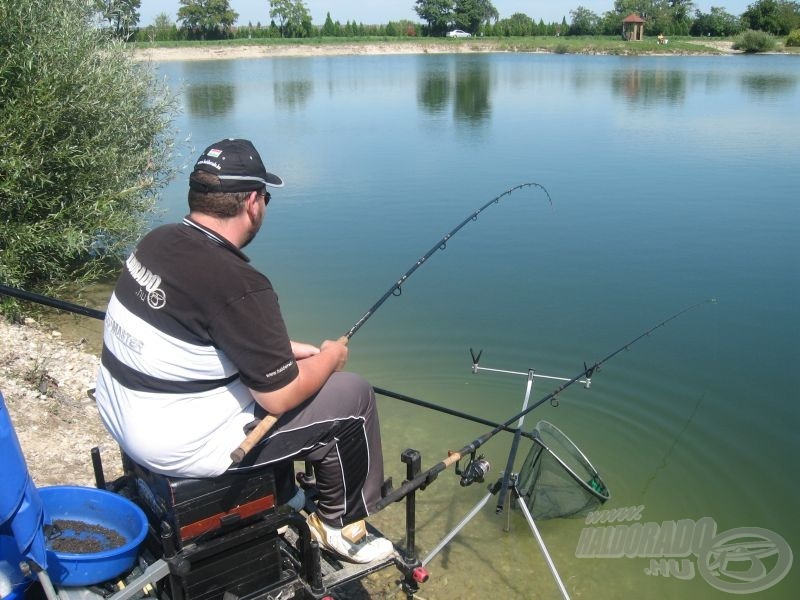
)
(85, 145)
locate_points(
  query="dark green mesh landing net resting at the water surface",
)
(556, 479)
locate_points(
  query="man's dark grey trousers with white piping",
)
(337, 430)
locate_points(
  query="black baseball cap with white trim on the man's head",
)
(237, 164)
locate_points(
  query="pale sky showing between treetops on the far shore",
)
(383, 11)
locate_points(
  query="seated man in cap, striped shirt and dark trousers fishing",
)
(196, 352)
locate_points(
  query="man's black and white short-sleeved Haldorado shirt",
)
(190, 328)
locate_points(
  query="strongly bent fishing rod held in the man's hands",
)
(267, 422)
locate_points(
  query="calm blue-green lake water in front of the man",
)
(673, 180)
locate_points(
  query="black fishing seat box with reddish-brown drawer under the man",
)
(220, 535)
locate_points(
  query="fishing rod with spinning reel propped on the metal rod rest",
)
(425, 478)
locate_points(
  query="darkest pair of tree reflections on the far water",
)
(467, 87)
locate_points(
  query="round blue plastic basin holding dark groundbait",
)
(92, 506)
